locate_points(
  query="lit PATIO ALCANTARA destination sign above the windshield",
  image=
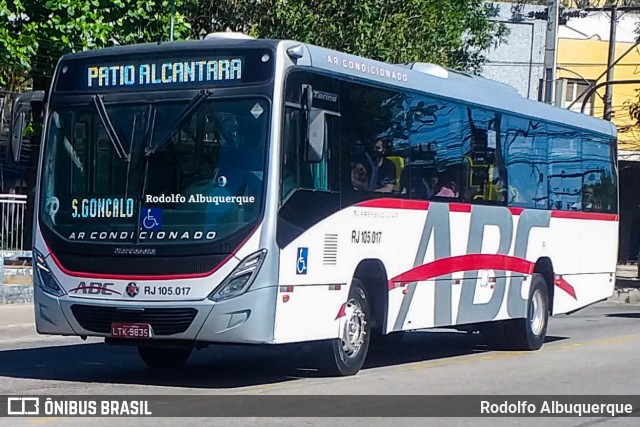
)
(165, 73)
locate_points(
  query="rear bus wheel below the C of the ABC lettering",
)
(529, 333)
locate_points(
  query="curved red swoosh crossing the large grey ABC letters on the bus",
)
(472, 262)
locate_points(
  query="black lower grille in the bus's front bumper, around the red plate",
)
(164, 321)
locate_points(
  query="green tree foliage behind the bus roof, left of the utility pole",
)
(452, 33)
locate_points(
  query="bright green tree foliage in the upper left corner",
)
(35, 33)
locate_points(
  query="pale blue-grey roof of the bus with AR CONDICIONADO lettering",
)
(450, 84)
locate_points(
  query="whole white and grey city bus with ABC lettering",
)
(270, 192)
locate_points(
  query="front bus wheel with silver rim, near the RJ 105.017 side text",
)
(346, 355)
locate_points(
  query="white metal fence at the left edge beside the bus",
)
(12, 209)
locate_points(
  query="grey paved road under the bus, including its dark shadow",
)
(595, 351)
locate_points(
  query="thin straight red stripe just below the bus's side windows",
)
(390, 203)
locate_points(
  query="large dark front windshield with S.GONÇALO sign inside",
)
(179, 172)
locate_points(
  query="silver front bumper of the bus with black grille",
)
(248, 318)
